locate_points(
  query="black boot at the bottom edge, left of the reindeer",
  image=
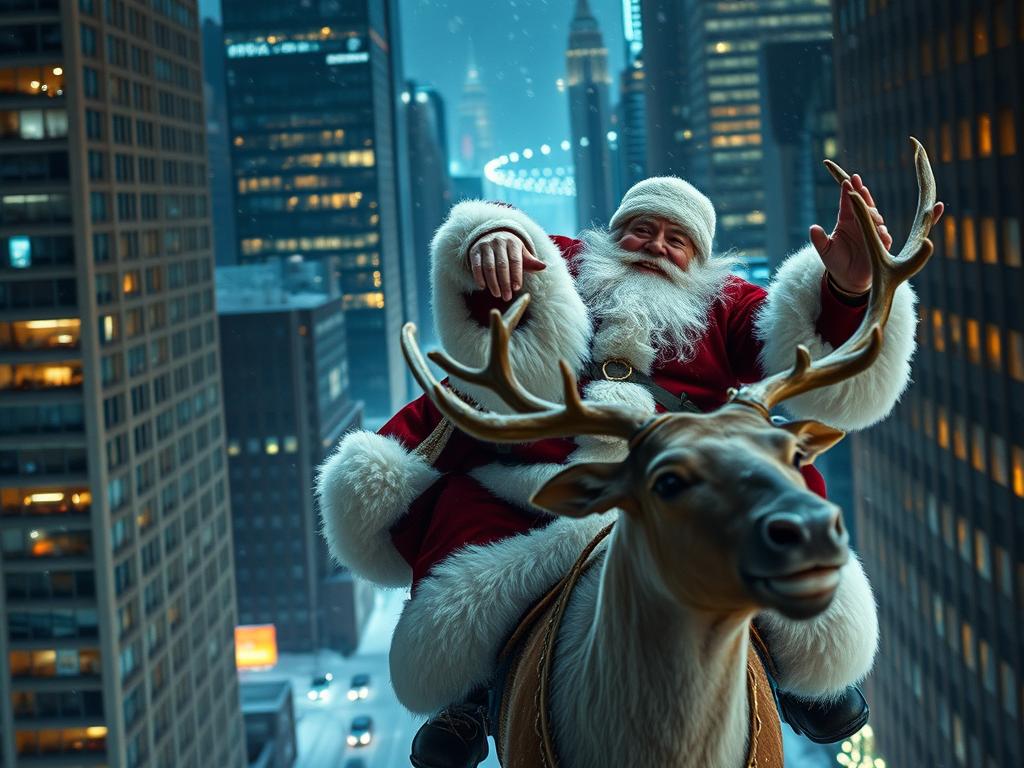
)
(455, 738)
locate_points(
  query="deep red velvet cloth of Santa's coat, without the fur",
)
(458, 511)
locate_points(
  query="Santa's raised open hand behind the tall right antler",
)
(843, 252)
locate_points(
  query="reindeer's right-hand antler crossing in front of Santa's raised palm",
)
(888, 273)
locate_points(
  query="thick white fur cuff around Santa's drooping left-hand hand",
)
(558, 325)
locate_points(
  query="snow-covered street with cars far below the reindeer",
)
(323, 727)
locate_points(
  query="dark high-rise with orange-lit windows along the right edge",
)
(942, 483)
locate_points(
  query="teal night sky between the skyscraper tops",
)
(521, 50)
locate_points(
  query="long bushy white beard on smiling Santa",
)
(646, 318)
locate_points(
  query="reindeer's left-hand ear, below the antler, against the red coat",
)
(585, 490)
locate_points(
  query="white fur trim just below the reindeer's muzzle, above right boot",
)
(820, 658)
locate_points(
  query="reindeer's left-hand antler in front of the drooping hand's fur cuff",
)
(536, 418)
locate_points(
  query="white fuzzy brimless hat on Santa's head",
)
(675, 200)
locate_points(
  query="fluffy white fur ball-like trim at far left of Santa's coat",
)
(364, 489)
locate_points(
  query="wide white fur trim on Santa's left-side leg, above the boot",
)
(448, 639)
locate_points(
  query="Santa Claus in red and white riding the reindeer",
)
(644, 313)
